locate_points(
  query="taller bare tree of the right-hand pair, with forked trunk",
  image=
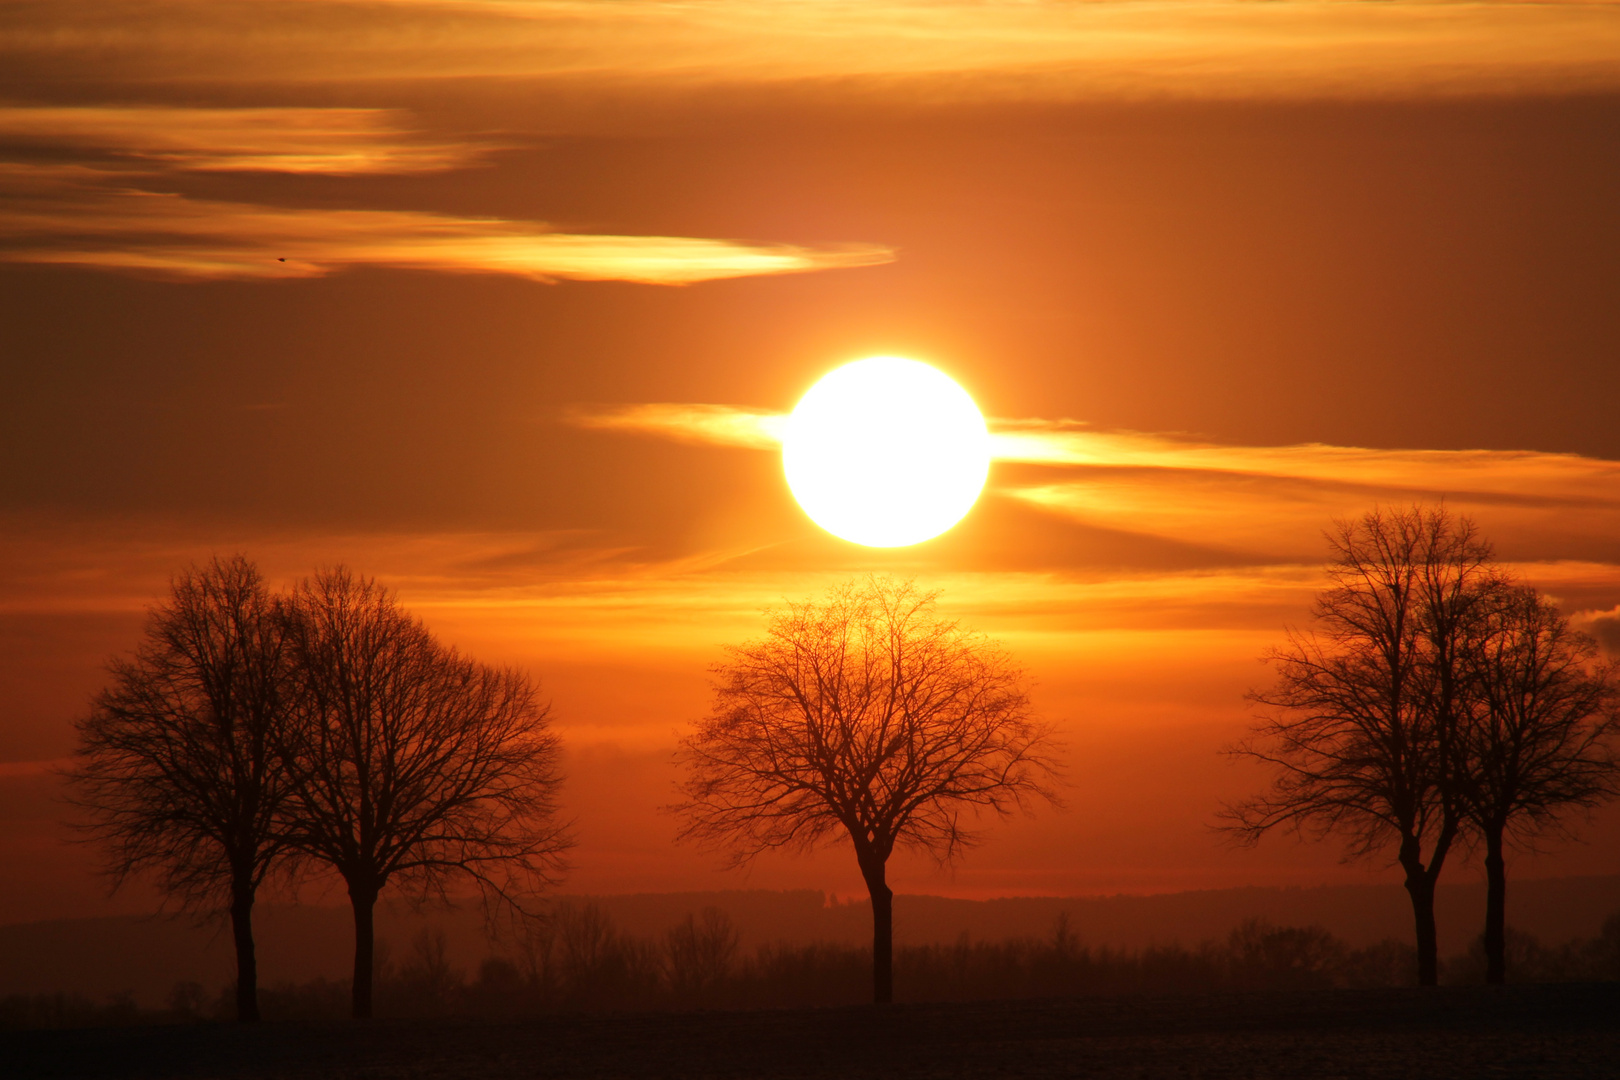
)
(1363, 721)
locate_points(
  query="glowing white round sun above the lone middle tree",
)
(887, 453)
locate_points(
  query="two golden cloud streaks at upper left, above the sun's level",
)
(79, 206)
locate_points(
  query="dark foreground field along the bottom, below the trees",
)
(1567, 1031)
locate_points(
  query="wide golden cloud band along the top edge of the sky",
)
(1044, 49)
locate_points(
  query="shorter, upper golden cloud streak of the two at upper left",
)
(341, 142)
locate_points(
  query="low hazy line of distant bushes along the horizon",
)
(578, 961)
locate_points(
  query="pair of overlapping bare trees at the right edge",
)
(1436, 704)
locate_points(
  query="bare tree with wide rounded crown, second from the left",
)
(411, 762)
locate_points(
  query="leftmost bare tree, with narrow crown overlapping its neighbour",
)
(177, 762)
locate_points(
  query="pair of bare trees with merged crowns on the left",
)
(255, 736)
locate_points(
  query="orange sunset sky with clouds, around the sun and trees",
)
(503, 304)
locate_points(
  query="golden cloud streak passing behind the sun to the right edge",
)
(1271, 503)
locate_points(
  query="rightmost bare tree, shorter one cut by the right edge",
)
(1537, 744)
